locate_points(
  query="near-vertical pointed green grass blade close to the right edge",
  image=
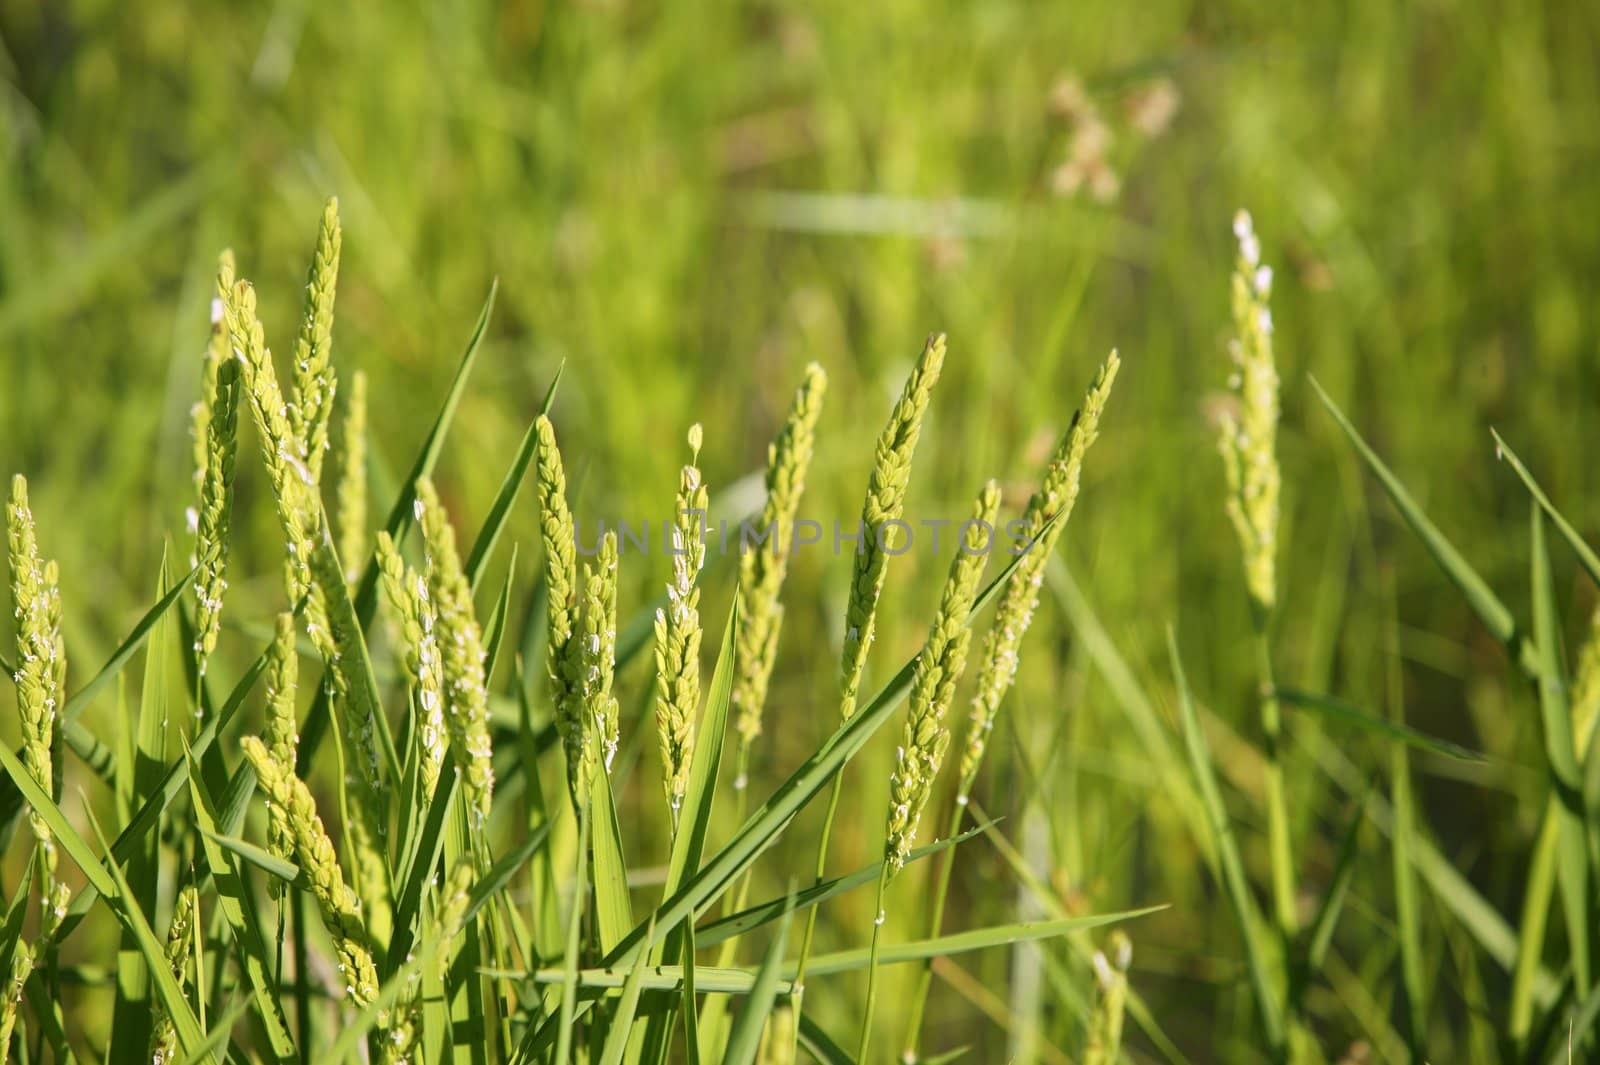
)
(1572, 842)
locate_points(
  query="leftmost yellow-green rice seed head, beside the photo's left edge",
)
(41, 656)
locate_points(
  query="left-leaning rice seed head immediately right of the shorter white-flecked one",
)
(462, 653)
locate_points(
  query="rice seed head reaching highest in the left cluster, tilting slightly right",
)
(314, 380)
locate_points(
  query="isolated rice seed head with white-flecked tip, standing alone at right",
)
(1249, 437)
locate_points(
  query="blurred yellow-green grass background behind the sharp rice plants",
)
(690, 202)
